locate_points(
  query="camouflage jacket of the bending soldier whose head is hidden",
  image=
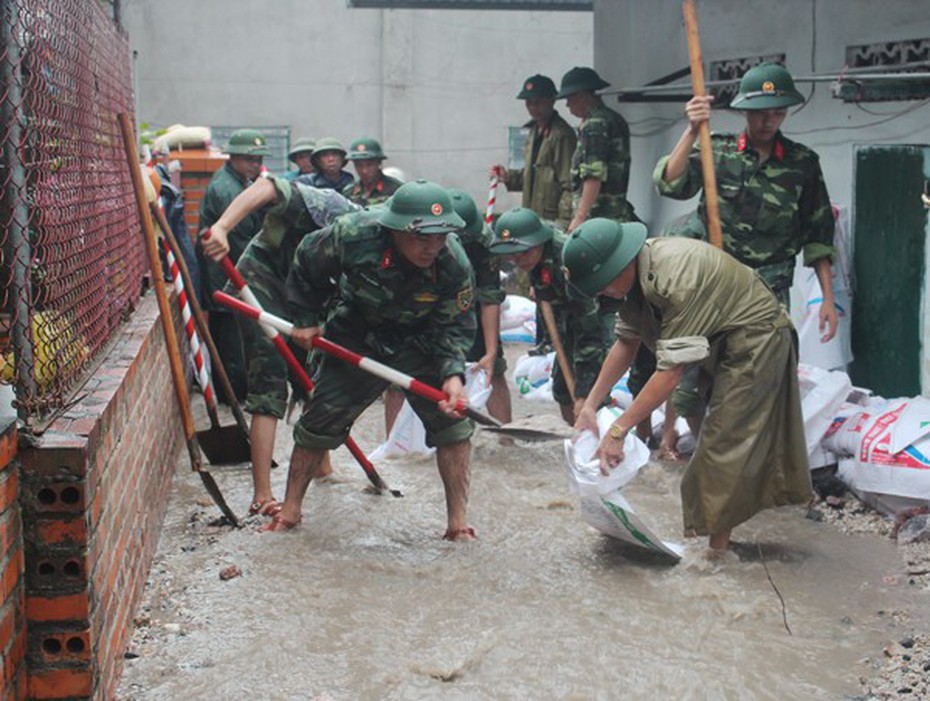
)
(297, 211)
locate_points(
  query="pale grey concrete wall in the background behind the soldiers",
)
(436, 87)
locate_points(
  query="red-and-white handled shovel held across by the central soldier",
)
(383, 371)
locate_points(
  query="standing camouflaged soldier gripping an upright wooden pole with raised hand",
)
(772, 197)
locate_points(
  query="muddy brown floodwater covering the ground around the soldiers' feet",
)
(365, 601)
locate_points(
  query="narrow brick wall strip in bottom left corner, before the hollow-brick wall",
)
(12, 603)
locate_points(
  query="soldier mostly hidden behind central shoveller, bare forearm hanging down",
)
(487, 350)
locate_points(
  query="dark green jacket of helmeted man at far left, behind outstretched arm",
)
(224, 186)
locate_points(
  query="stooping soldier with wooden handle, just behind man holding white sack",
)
(536, 248)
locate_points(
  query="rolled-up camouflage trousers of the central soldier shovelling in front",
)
(344, 391)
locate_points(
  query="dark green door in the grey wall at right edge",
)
(888, 262)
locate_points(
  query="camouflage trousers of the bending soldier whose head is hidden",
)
(268, 374)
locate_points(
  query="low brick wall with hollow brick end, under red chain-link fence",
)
(95, 490)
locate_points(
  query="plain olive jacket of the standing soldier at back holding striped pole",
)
(546, 182)
